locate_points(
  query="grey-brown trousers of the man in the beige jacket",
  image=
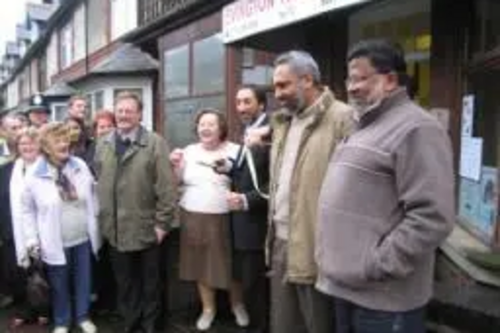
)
(297, 308)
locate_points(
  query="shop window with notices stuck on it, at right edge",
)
(480, 138)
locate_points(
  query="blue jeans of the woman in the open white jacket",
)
(71, 281)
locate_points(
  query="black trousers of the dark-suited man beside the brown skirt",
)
(249, 268)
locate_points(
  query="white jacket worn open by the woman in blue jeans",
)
(41, 209)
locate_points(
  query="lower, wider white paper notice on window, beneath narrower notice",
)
(471, 157)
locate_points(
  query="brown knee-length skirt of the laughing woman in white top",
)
(205, 249)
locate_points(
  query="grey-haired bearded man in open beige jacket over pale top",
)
(305, 133)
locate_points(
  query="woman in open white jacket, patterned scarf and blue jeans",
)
(60, 224)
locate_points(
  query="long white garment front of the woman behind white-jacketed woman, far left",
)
(20, 172)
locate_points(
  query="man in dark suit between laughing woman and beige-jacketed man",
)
(248, 203)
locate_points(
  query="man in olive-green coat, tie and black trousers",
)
(136, 194)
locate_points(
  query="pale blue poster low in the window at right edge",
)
(488, 199)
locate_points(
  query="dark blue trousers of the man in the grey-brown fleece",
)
(352, 318)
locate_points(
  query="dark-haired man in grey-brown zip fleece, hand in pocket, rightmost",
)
(387, 201)
